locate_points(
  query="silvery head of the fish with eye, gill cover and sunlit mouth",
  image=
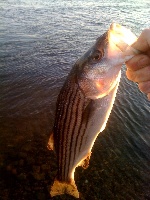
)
(98, 69)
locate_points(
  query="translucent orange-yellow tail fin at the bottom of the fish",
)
(60, 188)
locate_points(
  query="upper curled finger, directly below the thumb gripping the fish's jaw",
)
(138, 62)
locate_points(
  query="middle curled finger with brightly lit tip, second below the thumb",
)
(140, 75)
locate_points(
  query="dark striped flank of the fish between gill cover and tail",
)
(71, 122)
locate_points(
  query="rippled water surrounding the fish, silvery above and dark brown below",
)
(40, 41)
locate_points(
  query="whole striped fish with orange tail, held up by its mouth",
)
(85, 103)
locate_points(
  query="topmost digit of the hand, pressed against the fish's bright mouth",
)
(143, 42)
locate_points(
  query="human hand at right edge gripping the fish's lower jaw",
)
(138, 67)
